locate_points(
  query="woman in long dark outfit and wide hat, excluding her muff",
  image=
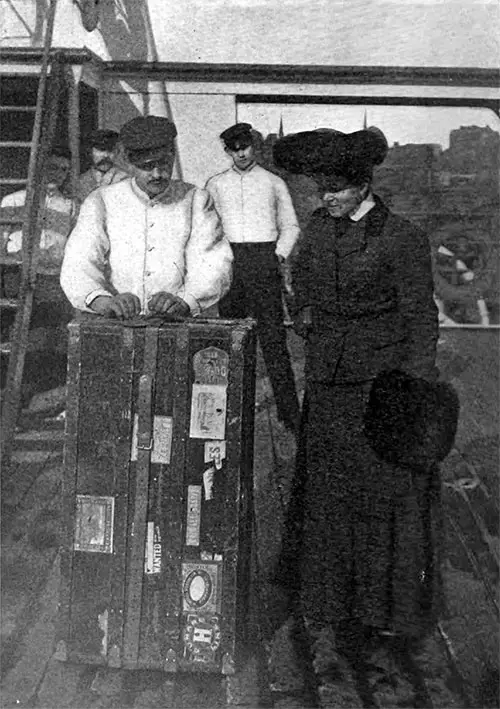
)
(364, 549)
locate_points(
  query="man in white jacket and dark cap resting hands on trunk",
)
(147, 245)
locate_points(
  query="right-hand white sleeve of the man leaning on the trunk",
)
(208, 256)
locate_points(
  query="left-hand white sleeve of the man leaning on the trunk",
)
(83, 271)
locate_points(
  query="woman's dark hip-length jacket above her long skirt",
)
(371, 291)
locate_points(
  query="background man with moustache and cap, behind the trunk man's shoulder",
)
(103, 153)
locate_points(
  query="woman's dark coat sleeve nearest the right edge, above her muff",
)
(415, 290)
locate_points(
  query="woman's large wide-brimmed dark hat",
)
(334, 159)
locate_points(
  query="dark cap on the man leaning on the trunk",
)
(145, 137)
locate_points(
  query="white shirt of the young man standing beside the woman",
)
(255, 206)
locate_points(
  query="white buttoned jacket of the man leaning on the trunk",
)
(125, 242)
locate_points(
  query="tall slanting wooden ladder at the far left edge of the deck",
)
(46, 111)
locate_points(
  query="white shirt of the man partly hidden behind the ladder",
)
(58, 217)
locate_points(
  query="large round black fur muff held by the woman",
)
(410, 421)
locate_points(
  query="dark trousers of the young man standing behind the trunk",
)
(256, 292)
